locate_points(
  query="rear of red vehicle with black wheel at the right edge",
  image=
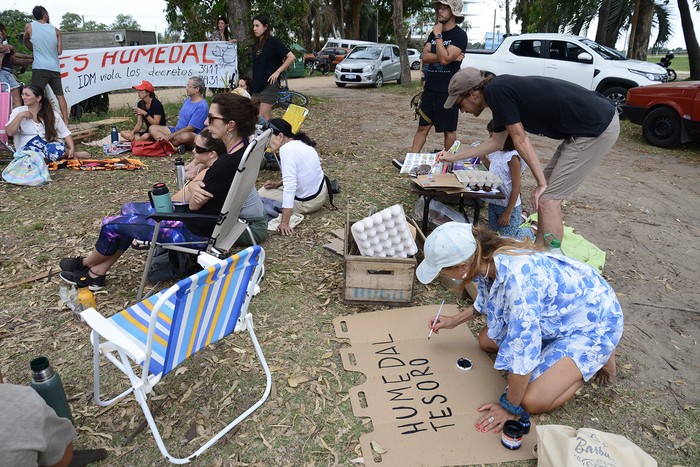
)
(669, 113)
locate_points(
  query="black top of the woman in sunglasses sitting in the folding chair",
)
(217, 181)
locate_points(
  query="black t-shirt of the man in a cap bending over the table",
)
(550, 107)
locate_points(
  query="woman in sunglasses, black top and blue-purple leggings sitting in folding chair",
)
(205, 194)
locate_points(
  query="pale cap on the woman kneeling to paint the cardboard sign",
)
(450, 244)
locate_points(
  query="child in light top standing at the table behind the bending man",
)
(505, 214)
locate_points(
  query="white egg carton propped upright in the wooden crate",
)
(385, 234)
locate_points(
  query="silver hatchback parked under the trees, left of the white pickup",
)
(369, 65)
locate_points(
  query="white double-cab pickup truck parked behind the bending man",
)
(570, 58)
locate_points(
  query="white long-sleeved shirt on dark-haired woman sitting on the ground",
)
(301, 172)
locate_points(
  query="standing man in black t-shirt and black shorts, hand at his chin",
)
(443, 52)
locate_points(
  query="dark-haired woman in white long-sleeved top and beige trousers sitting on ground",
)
(303, 188)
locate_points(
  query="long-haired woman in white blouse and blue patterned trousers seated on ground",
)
(38, 126)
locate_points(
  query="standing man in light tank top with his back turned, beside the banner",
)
(44, 40)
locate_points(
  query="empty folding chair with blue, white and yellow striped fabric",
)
(162, 331)
